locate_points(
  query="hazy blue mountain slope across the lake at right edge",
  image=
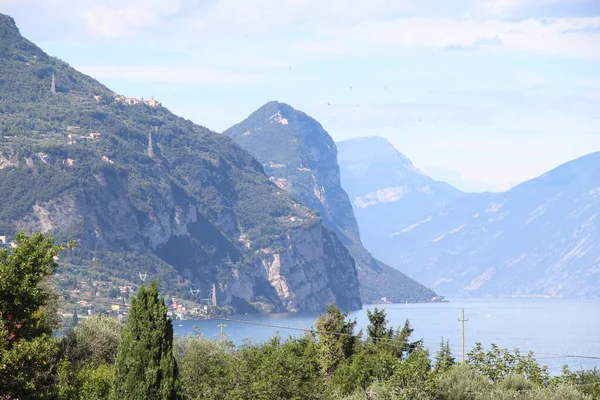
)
(538, 239)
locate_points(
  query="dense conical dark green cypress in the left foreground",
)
(145, 367)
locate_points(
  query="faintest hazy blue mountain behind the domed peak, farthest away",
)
(386, 190)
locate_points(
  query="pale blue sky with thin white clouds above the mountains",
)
(483, 94)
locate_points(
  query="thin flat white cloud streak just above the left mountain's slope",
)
(198, 74)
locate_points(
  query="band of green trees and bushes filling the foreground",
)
(101, 359)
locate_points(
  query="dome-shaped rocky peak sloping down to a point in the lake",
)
(299, 156)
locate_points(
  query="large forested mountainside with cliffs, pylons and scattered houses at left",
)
(149, 194)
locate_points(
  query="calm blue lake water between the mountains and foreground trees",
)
(545, 326)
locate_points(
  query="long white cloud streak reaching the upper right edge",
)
(523, 36)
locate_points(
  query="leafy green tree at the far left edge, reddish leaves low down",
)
(28, 355)
